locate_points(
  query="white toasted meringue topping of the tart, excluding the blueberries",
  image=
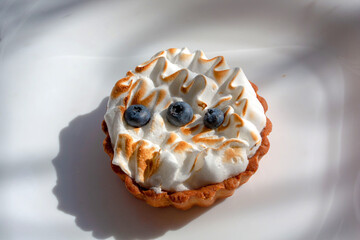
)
(164, 157)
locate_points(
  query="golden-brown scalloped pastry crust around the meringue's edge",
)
(204, 196)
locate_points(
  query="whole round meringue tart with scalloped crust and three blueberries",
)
(184, 130)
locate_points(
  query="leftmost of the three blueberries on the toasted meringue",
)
(137, 115)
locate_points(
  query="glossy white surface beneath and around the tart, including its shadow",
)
(59, 59)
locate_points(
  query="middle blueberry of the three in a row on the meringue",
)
(179, 113)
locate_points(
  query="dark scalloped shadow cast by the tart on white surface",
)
(88, 189)
